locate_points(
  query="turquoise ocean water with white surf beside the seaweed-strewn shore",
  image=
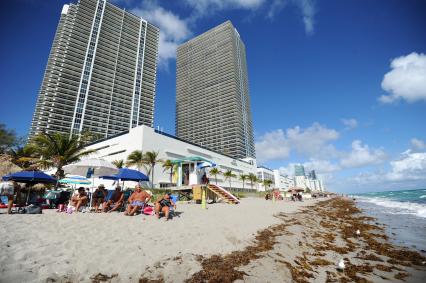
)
(403, 212)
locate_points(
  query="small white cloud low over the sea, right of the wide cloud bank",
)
(361, 155)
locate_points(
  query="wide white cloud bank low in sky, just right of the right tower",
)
(312, 142)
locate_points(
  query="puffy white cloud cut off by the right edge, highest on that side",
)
(406, 80)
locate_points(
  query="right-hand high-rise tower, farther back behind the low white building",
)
(212, 93)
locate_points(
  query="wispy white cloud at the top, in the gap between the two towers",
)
(173, 29)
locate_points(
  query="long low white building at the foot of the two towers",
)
(191, 160)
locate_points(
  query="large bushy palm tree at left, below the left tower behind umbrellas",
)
(57, 150)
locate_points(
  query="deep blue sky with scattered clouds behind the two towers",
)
(339, 86)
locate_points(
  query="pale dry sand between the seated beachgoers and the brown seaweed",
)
(61, 247)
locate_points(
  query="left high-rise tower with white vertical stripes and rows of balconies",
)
(101, 72)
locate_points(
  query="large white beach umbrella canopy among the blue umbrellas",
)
(91, 168)
